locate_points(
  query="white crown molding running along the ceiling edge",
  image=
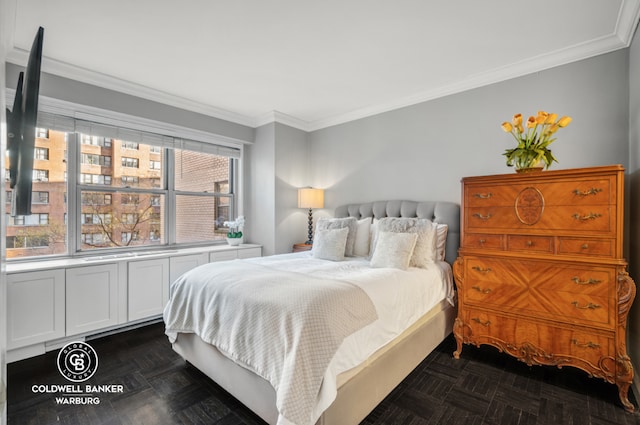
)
(622, 36)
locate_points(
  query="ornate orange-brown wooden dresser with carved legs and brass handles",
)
(541, 274)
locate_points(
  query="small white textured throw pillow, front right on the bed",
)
(394, 250)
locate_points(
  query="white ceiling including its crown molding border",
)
(311, 63)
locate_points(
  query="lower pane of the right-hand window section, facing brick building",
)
(200, 218)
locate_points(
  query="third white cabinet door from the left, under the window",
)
(148, 288)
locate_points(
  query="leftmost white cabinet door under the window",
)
(35, 311)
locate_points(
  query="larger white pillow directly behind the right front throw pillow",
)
(425, 249)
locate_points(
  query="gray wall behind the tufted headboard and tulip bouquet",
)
(422, 151)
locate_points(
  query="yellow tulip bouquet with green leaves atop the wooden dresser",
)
(533, 144)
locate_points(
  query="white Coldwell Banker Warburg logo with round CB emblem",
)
(77, 362)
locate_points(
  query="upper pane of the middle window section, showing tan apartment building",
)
(118, 163)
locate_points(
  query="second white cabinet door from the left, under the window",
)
(91, 297)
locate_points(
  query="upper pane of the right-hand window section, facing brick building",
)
(201, 172)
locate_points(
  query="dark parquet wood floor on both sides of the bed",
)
(483, 387)
